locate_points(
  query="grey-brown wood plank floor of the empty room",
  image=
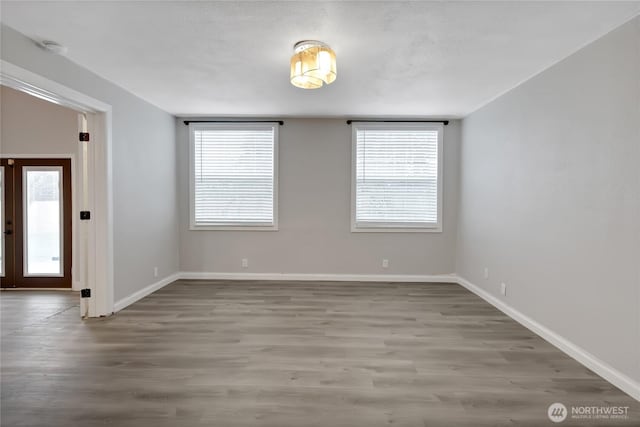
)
(286, 354)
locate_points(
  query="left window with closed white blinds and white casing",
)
(234, 176)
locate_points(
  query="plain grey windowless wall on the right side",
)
(550, 190)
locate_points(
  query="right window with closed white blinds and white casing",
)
(396, 177)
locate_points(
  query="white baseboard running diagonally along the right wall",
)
(615, 377)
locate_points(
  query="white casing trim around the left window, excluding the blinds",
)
(231, 226)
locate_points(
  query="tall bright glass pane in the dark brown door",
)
(43, 226)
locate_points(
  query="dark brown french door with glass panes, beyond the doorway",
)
(36, 223)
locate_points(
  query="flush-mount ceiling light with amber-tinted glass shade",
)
(313, 64)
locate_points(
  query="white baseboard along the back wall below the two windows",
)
(442, 278)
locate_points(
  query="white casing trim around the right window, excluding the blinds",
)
(401, 227)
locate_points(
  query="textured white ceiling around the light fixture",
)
(395, 58)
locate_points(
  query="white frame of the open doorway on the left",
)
(98, 260)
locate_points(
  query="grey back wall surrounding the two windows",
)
(314, 214)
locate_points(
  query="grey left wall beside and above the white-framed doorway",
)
(144, 167)
